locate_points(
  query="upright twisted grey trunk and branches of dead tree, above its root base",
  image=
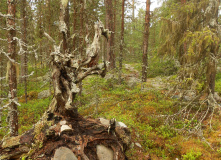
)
(65, 85)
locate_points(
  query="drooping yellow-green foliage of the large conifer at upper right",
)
(194, 43)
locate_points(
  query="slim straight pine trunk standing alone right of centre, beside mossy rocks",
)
(145, 42)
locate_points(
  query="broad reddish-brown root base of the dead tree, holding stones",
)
(84, 137)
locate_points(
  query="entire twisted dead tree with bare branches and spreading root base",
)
(62, 131)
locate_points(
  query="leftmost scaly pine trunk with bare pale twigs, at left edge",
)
(13, 121)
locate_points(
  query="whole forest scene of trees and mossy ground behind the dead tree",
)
(163, 79)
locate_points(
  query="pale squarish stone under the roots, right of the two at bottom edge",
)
(104, 153)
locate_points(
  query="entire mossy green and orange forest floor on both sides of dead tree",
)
(139, 106)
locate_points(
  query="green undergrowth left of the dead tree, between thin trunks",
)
(30, 113)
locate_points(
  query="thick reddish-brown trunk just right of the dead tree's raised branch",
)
(109, 25)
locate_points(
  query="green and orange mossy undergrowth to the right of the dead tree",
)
(143, 112)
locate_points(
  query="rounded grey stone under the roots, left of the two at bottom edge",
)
(64, 153)
